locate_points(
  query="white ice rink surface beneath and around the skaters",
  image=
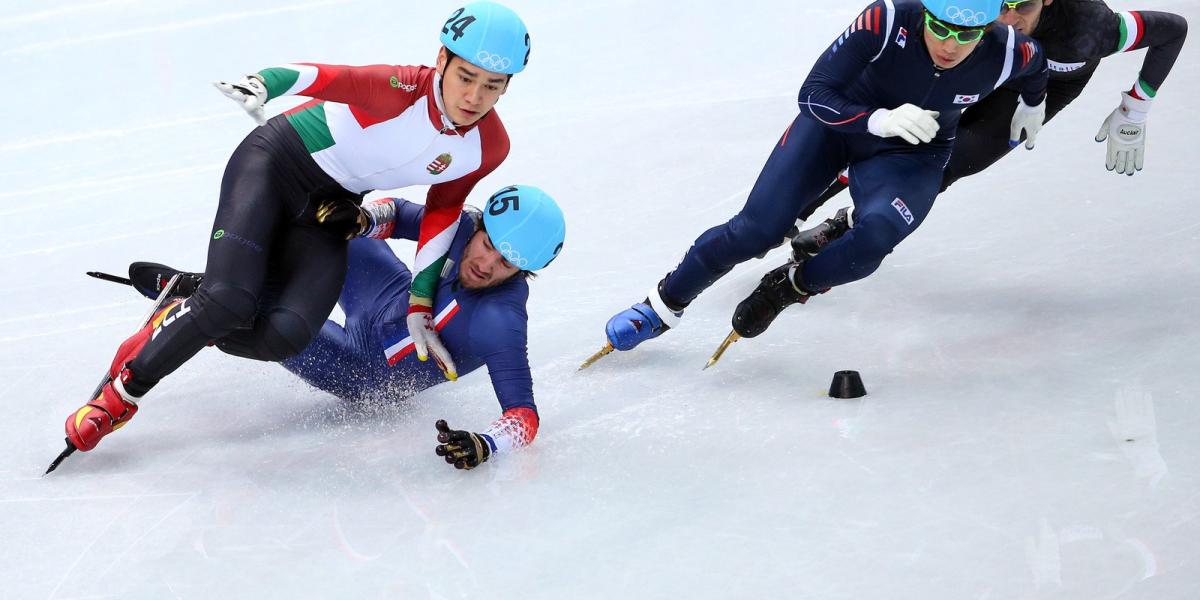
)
(1031, 430)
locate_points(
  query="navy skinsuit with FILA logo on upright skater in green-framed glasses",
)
(881, 62)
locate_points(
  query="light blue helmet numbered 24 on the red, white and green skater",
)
(490, 37)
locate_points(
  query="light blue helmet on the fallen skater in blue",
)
(526, 226)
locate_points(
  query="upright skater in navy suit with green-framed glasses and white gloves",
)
(885, 98)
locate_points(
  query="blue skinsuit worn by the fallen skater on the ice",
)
(489, 327)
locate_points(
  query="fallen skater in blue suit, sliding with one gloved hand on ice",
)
(481, 314)
